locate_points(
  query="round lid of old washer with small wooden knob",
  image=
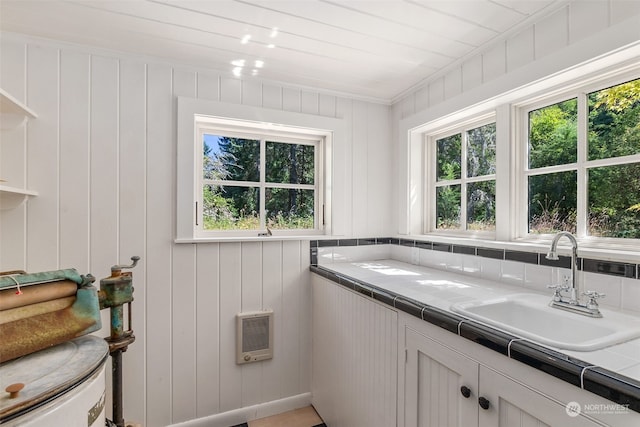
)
(49, 373)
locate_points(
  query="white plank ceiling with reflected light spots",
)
(370, 48)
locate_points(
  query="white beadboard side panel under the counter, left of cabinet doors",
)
(355, 364)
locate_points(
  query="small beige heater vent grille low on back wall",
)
(254, 336)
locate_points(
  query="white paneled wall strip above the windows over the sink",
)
(591, 22)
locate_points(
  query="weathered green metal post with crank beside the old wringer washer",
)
(116, 291)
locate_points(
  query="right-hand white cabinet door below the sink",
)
(512, 404)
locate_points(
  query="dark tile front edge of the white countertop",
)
(610, 385)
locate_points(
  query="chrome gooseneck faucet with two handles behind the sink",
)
(572, 303)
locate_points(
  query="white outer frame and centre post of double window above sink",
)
(511, 194)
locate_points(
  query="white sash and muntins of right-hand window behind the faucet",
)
(522, 172)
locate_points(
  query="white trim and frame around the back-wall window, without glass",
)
(190, 112)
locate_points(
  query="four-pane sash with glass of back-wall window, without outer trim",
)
(257, 179)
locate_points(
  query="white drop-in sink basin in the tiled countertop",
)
(529, 316)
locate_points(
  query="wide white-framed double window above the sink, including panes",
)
(561, 153)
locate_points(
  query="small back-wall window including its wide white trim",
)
(246, 172)
